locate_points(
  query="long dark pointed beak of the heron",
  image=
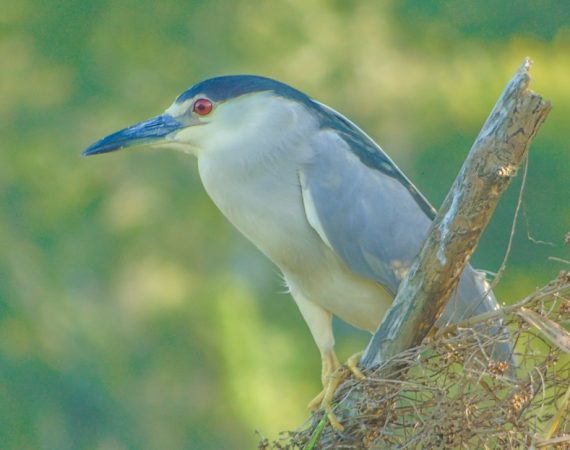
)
(143, 133)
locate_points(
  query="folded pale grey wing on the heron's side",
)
(369, 218)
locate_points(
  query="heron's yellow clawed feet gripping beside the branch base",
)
(331, 382)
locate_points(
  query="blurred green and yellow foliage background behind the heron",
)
(132, 315)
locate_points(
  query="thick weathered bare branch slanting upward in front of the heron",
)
(489, 168)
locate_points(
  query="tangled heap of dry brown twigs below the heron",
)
(448, 394)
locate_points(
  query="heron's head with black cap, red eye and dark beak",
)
(238, 111)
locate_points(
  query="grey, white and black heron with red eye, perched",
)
(315, 194)
